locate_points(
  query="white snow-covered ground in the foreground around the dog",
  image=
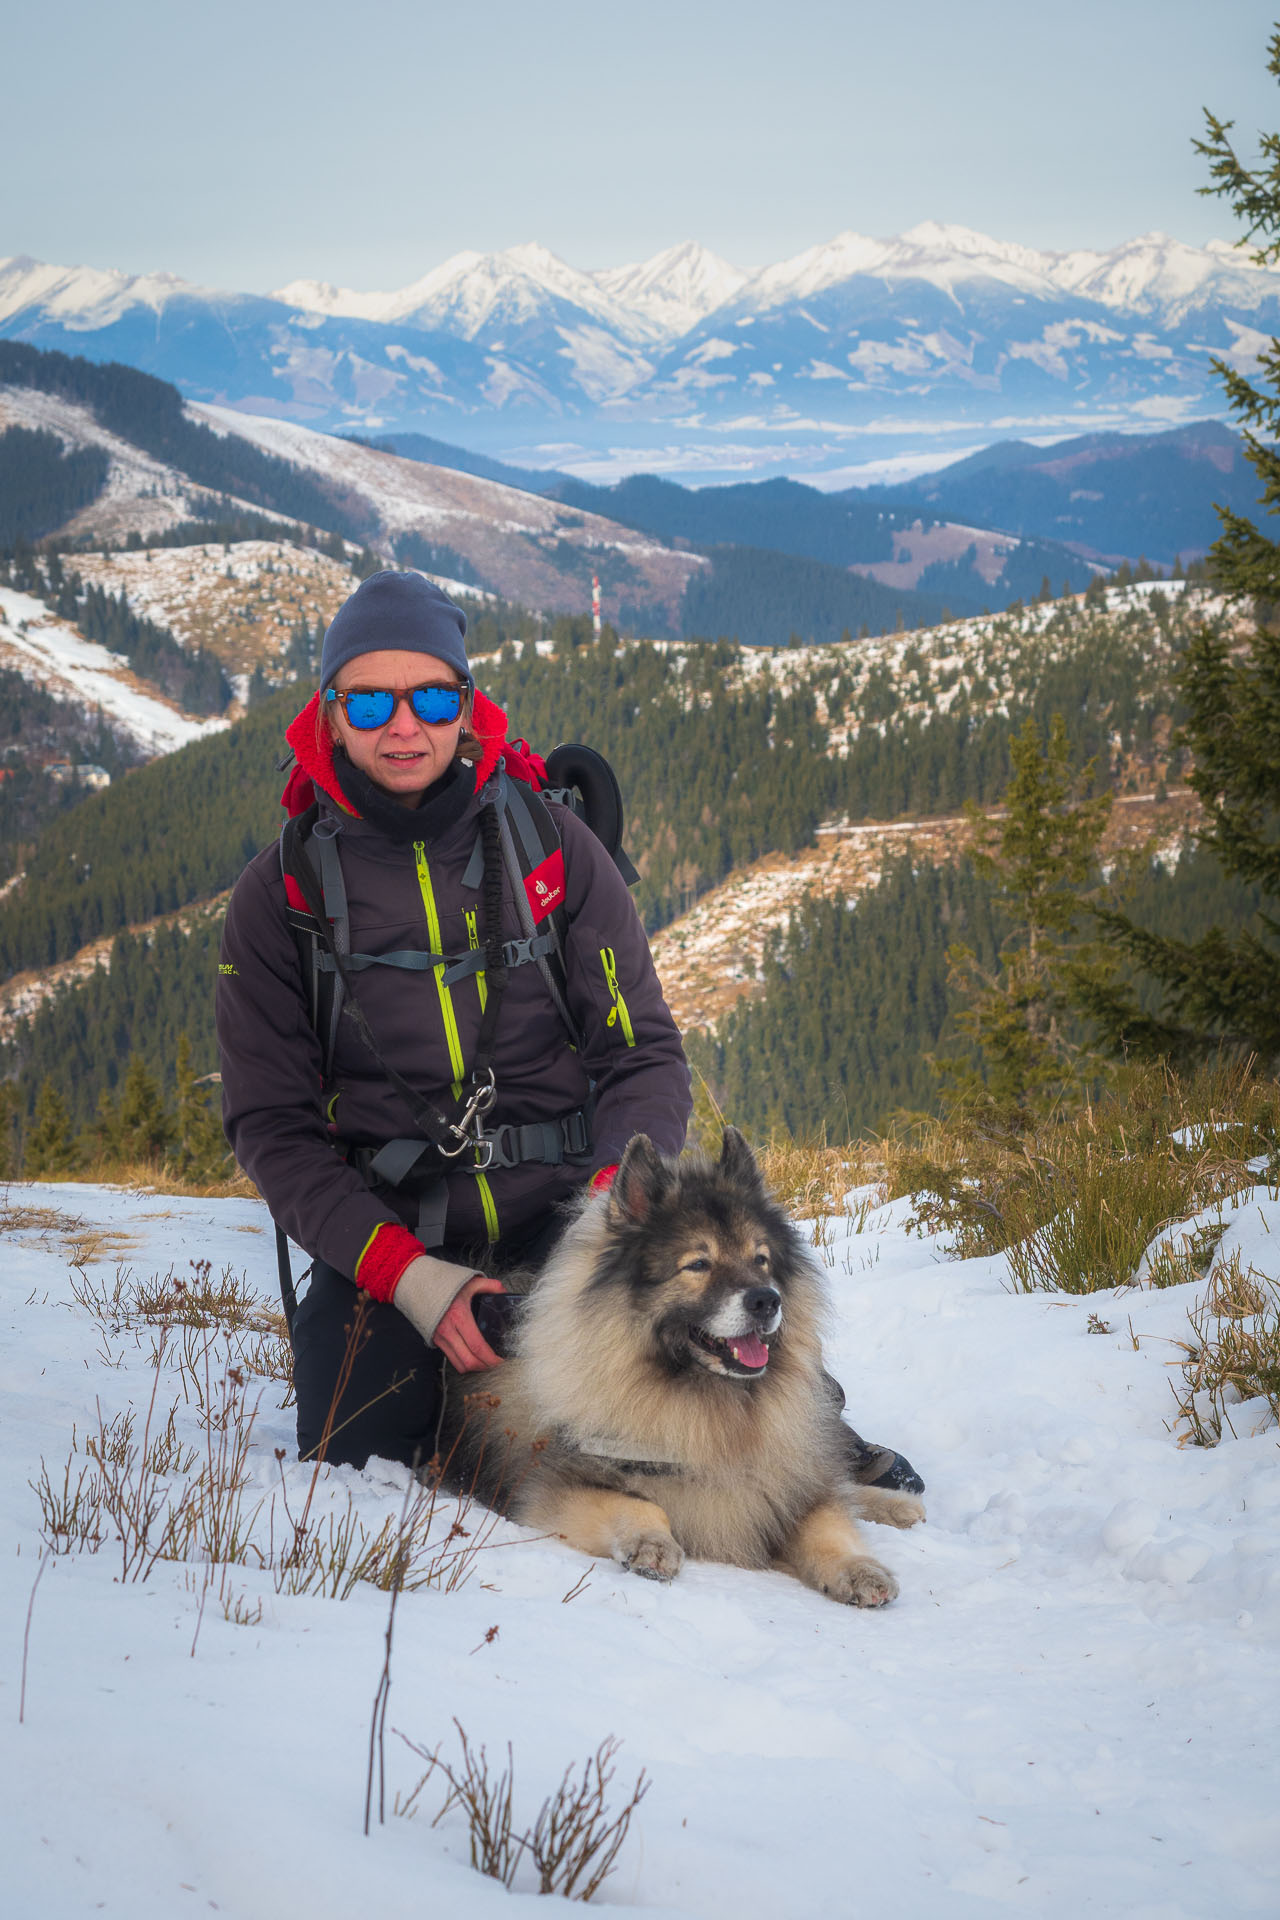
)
(1072, 1708)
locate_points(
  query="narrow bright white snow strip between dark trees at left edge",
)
(74, 669)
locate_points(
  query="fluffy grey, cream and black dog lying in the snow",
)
(667, 1395)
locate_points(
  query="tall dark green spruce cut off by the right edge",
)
(1225, 990)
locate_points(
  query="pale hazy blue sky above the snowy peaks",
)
(260, 141)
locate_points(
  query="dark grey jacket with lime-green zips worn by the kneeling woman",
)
(273, 1109)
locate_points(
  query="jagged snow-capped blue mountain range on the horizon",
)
(847, 352)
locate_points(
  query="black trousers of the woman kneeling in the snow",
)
(364, 1364)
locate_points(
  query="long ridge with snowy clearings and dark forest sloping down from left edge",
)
(158, 469)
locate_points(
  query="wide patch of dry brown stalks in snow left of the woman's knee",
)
(143, 1487)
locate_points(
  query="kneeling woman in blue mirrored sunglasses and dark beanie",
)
(414, 1189)
